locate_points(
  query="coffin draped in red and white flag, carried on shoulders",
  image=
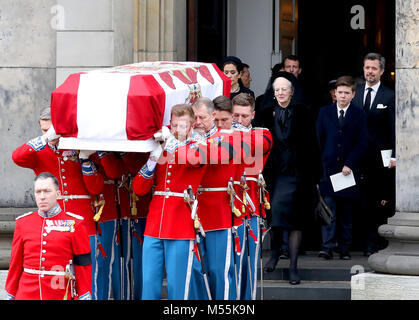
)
(120, 108)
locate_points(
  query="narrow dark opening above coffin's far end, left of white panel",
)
(207, 30)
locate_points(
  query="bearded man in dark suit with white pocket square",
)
(377, 181)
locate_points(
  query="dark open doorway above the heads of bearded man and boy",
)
(329, 46)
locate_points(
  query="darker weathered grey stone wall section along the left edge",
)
(27, 77)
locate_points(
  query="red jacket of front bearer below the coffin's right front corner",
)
(169, 217)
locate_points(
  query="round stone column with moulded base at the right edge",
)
(401, 257)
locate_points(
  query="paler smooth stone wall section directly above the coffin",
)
(94, 34)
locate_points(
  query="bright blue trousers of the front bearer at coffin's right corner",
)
(183, 270)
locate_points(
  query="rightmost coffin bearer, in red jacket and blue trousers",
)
(252, 185)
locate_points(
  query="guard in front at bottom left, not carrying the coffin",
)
(50, 256)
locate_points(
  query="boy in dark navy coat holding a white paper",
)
(342, 134)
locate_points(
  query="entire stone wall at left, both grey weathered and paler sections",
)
(41, 43)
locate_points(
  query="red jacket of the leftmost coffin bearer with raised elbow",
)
(66, 167)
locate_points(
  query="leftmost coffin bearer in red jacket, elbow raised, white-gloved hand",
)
(78, 177)
